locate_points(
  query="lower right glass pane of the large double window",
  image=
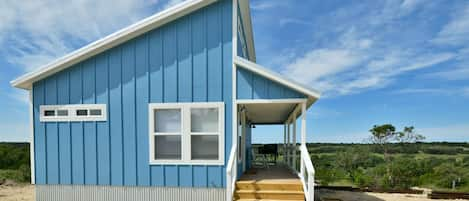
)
(204, 147)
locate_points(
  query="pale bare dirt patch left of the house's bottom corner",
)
(19, 192)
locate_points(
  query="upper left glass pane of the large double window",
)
(167, 120)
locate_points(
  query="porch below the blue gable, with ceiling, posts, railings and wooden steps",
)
(284, 173)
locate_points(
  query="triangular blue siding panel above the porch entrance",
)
(253, 86)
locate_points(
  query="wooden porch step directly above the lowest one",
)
(281, 186)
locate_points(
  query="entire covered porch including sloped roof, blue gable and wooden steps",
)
(263, 97)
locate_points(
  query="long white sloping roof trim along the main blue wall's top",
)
(25, 81)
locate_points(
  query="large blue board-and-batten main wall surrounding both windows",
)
(188, 60)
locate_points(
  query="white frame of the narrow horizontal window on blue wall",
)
(72, 116)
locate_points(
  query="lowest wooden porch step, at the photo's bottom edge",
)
(269, 194)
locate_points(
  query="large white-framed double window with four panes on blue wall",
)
(186, 133)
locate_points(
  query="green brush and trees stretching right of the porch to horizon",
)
(435, 165)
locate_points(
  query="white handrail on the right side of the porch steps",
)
(307, 166)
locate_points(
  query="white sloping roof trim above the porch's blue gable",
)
(258, 69)
